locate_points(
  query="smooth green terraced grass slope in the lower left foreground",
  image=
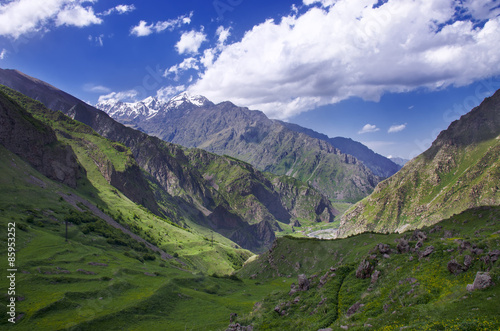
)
(90, 282)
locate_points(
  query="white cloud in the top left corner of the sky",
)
(19, 17)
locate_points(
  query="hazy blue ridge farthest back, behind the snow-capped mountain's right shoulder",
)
(378, 164)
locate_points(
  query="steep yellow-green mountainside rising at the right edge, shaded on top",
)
(459, 171)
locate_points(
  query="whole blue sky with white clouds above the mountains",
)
(388, 73)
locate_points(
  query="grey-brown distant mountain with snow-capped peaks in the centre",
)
(226, 129)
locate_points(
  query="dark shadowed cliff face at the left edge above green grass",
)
(36, 143)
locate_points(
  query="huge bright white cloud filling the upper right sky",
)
(343, 48)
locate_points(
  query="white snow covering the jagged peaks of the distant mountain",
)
(149, 107)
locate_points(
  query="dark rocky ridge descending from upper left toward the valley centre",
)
(182, 190)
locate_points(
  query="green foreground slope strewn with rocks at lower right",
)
(412, 289)
